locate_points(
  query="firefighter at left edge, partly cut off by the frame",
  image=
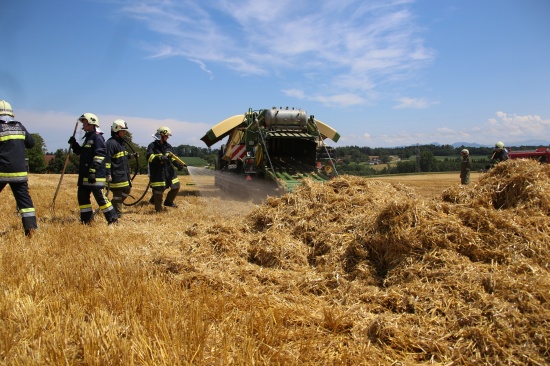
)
(14, 139)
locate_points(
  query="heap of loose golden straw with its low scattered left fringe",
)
(368, 272)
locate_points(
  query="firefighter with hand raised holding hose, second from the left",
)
(91, 171)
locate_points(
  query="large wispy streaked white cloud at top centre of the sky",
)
(350, 46)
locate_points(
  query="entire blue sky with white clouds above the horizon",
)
(381, 72)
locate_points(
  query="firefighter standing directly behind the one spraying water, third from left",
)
(117, 165)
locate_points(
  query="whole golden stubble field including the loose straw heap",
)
(356, 271)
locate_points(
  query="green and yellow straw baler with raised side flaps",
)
(283, 146)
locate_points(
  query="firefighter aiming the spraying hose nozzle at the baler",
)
(161, 171)
